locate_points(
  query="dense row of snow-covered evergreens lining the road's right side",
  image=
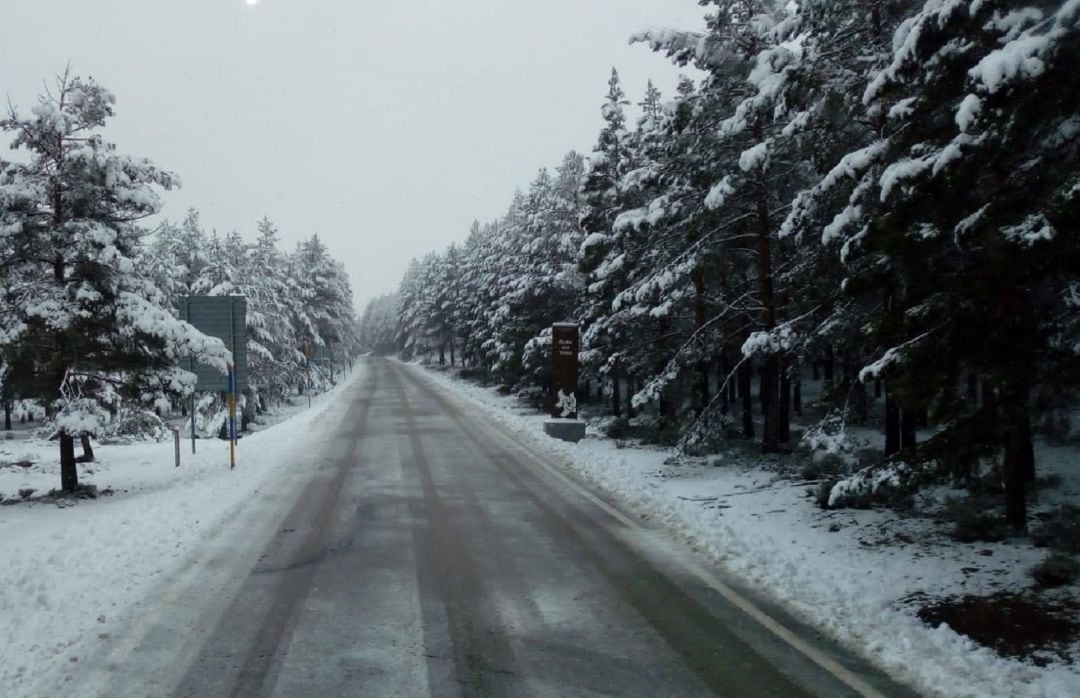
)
(884, 193)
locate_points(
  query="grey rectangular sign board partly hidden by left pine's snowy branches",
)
(225, 318)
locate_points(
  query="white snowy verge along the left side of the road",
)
(72, 571)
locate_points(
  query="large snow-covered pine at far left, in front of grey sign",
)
(82, 326)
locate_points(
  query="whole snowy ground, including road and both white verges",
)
(415, 535)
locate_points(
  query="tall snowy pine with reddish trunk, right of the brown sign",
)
(749, 52)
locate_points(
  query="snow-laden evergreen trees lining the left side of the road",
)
(89, 298)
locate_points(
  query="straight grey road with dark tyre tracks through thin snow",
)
(431, 554)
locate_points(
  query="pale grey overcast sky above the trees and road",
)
(384, 126)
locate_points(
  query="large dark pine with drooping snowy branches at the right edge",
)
(967, 210)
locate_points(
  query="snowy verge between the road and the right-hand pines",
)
(828, 568)
